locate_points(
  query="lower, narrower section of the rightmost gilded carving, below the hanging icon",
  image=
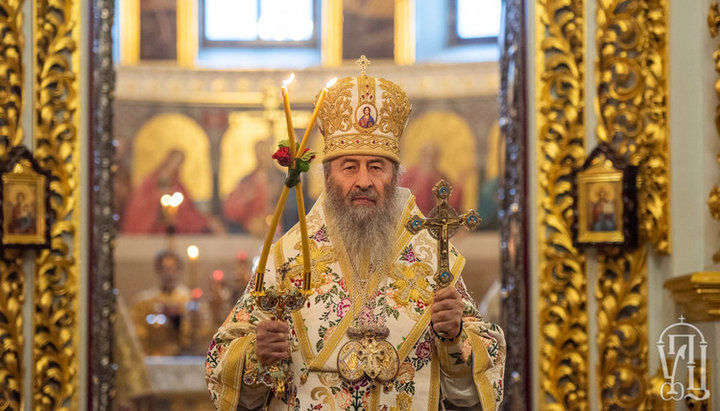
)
(622, 330)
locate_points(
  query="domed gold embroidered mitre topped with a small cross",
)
(363, 115)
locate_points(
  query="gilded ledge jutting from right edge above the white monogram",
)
(698, 294)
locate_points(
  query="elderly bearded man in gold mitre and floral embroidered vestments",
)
(420, 346)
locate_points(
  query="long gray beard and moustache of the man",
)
(364, 230)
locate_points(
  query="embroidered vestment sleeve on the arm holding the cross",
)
(473, 366)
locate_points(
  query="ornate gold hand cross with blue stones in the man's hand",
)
(442, 223)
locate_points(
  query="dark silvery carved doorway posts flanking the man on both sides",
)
(512, 194)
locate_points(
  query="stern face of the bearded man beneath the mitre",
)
(361, 179)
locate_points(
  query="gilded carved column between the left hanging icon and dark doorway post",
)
(55, 340)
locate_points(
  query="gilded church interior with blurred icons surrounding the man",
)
(136, 139)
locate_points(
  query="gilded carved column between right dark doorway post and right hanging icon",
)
(563, 300)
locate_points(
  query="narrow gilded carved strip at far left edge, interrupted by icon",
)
(12, 277)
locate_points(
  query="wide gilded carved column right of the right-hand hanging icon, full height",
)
(631, 76)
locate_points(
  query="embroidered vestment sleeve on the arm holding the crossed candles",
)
(232, 353)
